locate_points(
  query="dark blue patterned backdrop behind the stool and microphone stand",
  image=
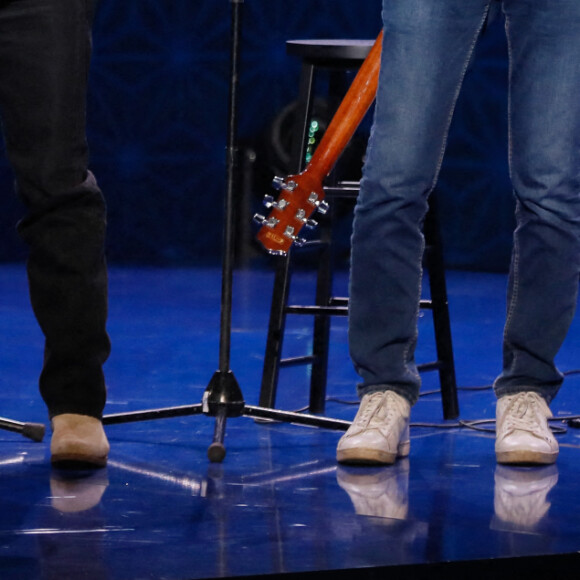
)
(157, 126)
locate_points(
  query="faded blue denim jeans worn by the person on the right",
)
(427, 46)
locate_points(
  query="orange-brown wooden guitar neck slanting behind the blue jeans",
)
(349, 114)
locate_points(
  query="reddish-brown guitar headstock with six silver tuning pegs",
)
(300, 196)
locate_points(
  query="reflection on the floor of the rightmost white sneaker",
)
(520, 493)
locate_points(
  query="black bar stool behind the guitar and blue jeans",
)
(336, 58)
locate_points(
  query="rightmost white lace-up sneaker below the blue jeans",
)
(522, 431)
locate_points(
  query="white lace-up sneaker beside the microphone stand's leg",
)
(379, 433)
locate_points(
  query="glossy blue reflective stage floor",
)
(278, 504)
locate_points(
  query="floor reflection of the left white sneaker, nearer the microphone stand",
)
(383, 493)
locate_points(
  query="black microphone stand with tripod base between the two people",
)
(223, 397)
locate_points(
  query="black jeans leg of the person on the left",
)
(44, 57)
